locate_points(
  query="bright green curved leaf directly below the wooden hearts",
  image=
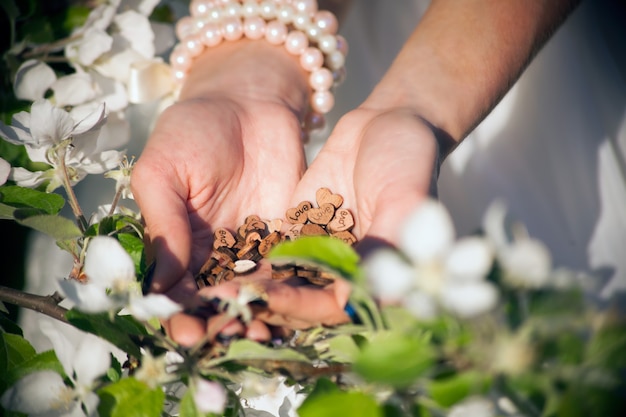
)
(323, 250)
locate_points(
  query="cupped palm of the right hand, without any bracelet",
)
(381, 163)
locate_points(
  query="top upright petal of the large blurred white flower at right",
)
(429, 232)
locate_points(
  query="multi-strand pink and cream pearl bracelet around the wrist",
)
(304, 30)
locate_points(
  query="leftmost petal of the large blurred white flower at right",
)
(388, 275)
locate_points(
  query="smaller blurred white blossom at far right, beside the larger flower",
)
(526, 262)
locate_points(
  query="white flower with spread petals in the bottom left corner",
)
(44, 393)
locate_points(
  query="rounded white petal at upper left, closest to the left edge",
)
(32, 80)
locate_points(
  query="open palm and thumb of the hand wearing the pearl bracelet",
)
(227, 161)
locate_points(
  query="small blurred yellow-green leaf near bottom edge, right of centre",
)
(451, 390)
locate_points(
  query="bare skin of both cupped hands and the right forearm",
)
(230, 147)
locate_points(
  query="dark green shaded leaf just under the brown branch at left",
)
(116, 330)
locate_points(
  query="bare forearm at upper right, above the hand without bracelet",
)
(463, 57)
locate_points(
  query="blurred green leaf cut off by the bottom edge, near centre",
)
(340, 404)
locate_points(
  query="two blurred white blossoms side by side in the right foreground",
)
(434, 272)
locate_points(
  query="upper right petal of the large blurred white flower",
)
(471, 258)
